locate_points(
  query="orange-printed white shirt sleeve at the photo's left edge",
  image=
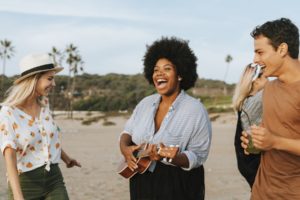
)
(7, 134)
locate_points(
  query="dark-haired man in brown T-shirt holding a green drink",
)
(276, 47)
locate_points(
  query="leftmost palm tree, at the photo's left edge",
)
(6, 52)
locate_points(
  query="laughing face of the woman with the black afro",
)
(165, 78)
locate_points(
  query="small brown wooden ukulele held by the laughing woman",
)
(144, 162)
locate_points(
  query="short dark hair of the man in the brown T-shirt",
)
(280, 31)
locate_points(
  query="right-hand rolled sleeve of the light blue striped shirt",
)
(199, 143)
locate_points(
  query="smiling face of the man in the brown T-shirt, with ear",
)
(270, 59)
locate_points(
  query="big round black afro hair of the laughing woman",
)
(176, 51)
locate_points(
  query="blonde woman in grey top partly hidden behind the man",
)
(247, 102)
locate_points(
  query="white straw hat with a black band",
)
(36, 63)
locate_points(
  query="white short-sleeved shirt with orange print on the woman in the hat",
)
(36, 141)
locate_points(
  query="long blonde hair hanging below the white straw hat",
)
(19, 93)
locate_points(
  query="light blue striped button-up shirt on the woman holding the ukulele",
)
(186, 124)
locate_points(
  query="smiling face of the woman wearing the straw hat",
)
(45, 84)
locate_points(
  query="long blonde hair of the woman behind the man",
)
(243, 87)
